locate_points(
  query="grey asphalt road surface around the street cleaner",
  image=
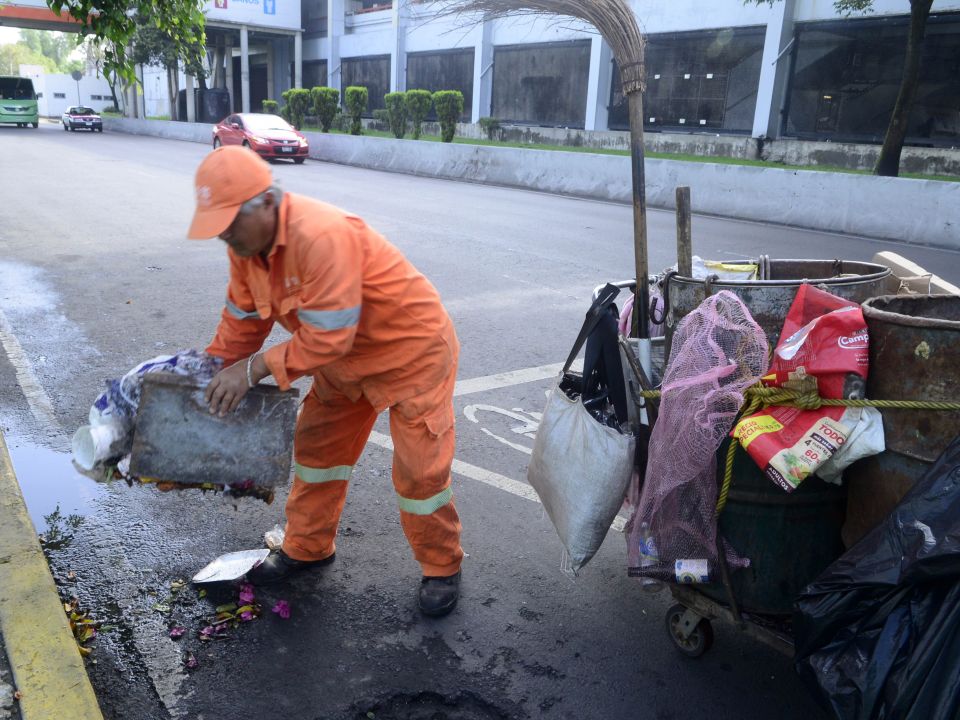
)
(96, 276)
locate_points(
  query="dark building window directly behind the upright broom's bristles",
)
(696, 81)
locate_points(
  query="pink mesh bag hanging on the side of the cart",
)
(718, 351)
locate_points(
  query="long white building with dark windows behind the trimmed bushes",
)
(795, 68)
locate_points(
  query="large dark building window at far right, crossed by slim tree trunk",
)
(846, 76)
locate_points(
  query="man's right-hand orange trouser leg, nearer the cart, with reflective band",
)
(422, 456)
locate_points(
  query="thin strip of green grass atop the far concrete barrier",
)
(659, 156)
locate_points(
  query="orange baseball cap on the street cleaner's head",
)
(227, 178)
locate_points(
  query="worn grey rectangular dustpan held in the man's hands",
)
(177, 440)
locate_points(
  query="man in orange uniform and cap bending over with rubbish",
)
(371, 332)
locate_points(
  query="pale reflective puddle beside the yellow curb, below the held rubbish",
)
(50, 483)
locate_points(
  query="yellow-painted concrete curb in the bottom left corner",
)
(47, 668)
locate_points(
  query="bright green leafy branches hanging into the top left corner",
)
(114, 23)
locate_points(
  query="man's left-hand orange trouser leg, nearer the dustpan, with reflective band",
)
(330, 437)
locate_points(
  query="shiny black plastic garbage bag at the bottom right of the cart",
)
(878, 633)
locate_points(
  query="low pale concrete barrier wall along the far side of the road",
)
(915, 211)
